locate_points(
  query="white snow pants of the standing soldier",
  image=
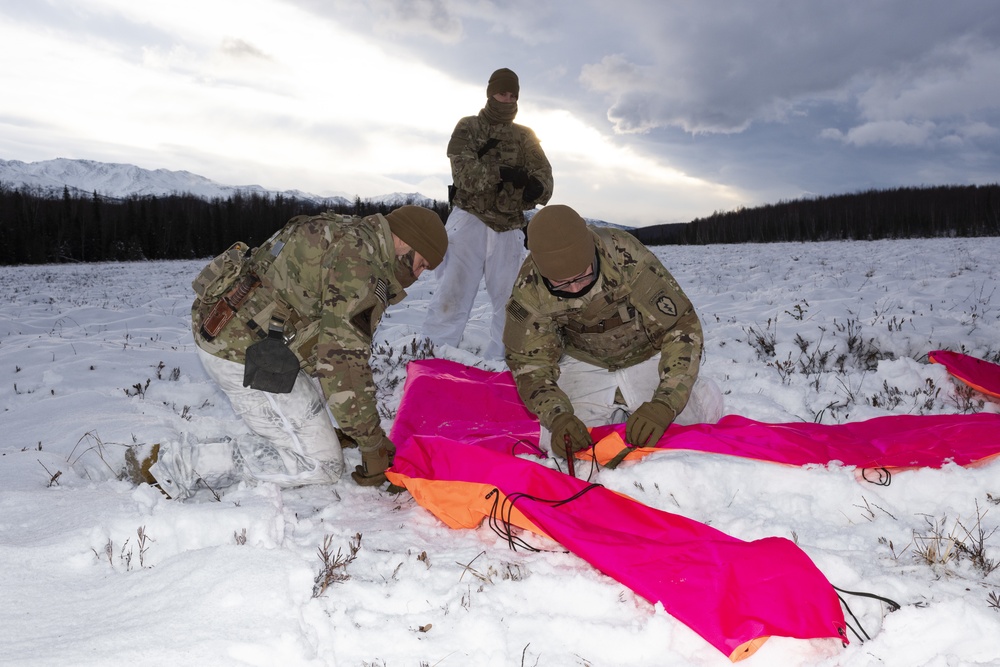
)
(474, 252)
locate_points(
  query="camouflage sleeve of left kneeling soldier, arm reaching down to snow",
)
(343, 349)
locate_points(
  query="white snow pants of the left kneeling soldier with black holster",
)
(293, 441)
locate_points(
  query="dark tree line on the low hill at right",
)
(930, 212)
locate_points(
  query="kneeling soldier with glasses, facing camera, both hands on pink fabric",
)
(596, 324)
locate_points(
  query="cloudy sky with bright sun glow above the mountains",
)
(649, 111)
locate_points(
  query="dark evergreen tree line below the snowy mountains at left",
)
(36, 228)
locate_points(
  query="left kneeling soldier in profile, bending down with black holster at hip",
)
(319, 287)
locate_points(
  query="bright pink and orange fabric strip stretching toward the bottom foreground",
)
(734, 594)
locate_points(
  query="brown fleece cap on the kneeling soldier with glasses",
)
(561, 245)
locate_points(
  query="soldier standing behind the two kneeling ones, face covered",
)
(499, 171)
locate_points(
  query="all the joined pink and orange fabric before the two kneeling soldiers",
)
(457, 428)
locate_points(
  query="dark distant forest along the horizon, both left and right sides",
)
(40, 229)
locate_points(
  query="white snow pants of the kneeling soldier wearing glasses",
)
(591, 390)
